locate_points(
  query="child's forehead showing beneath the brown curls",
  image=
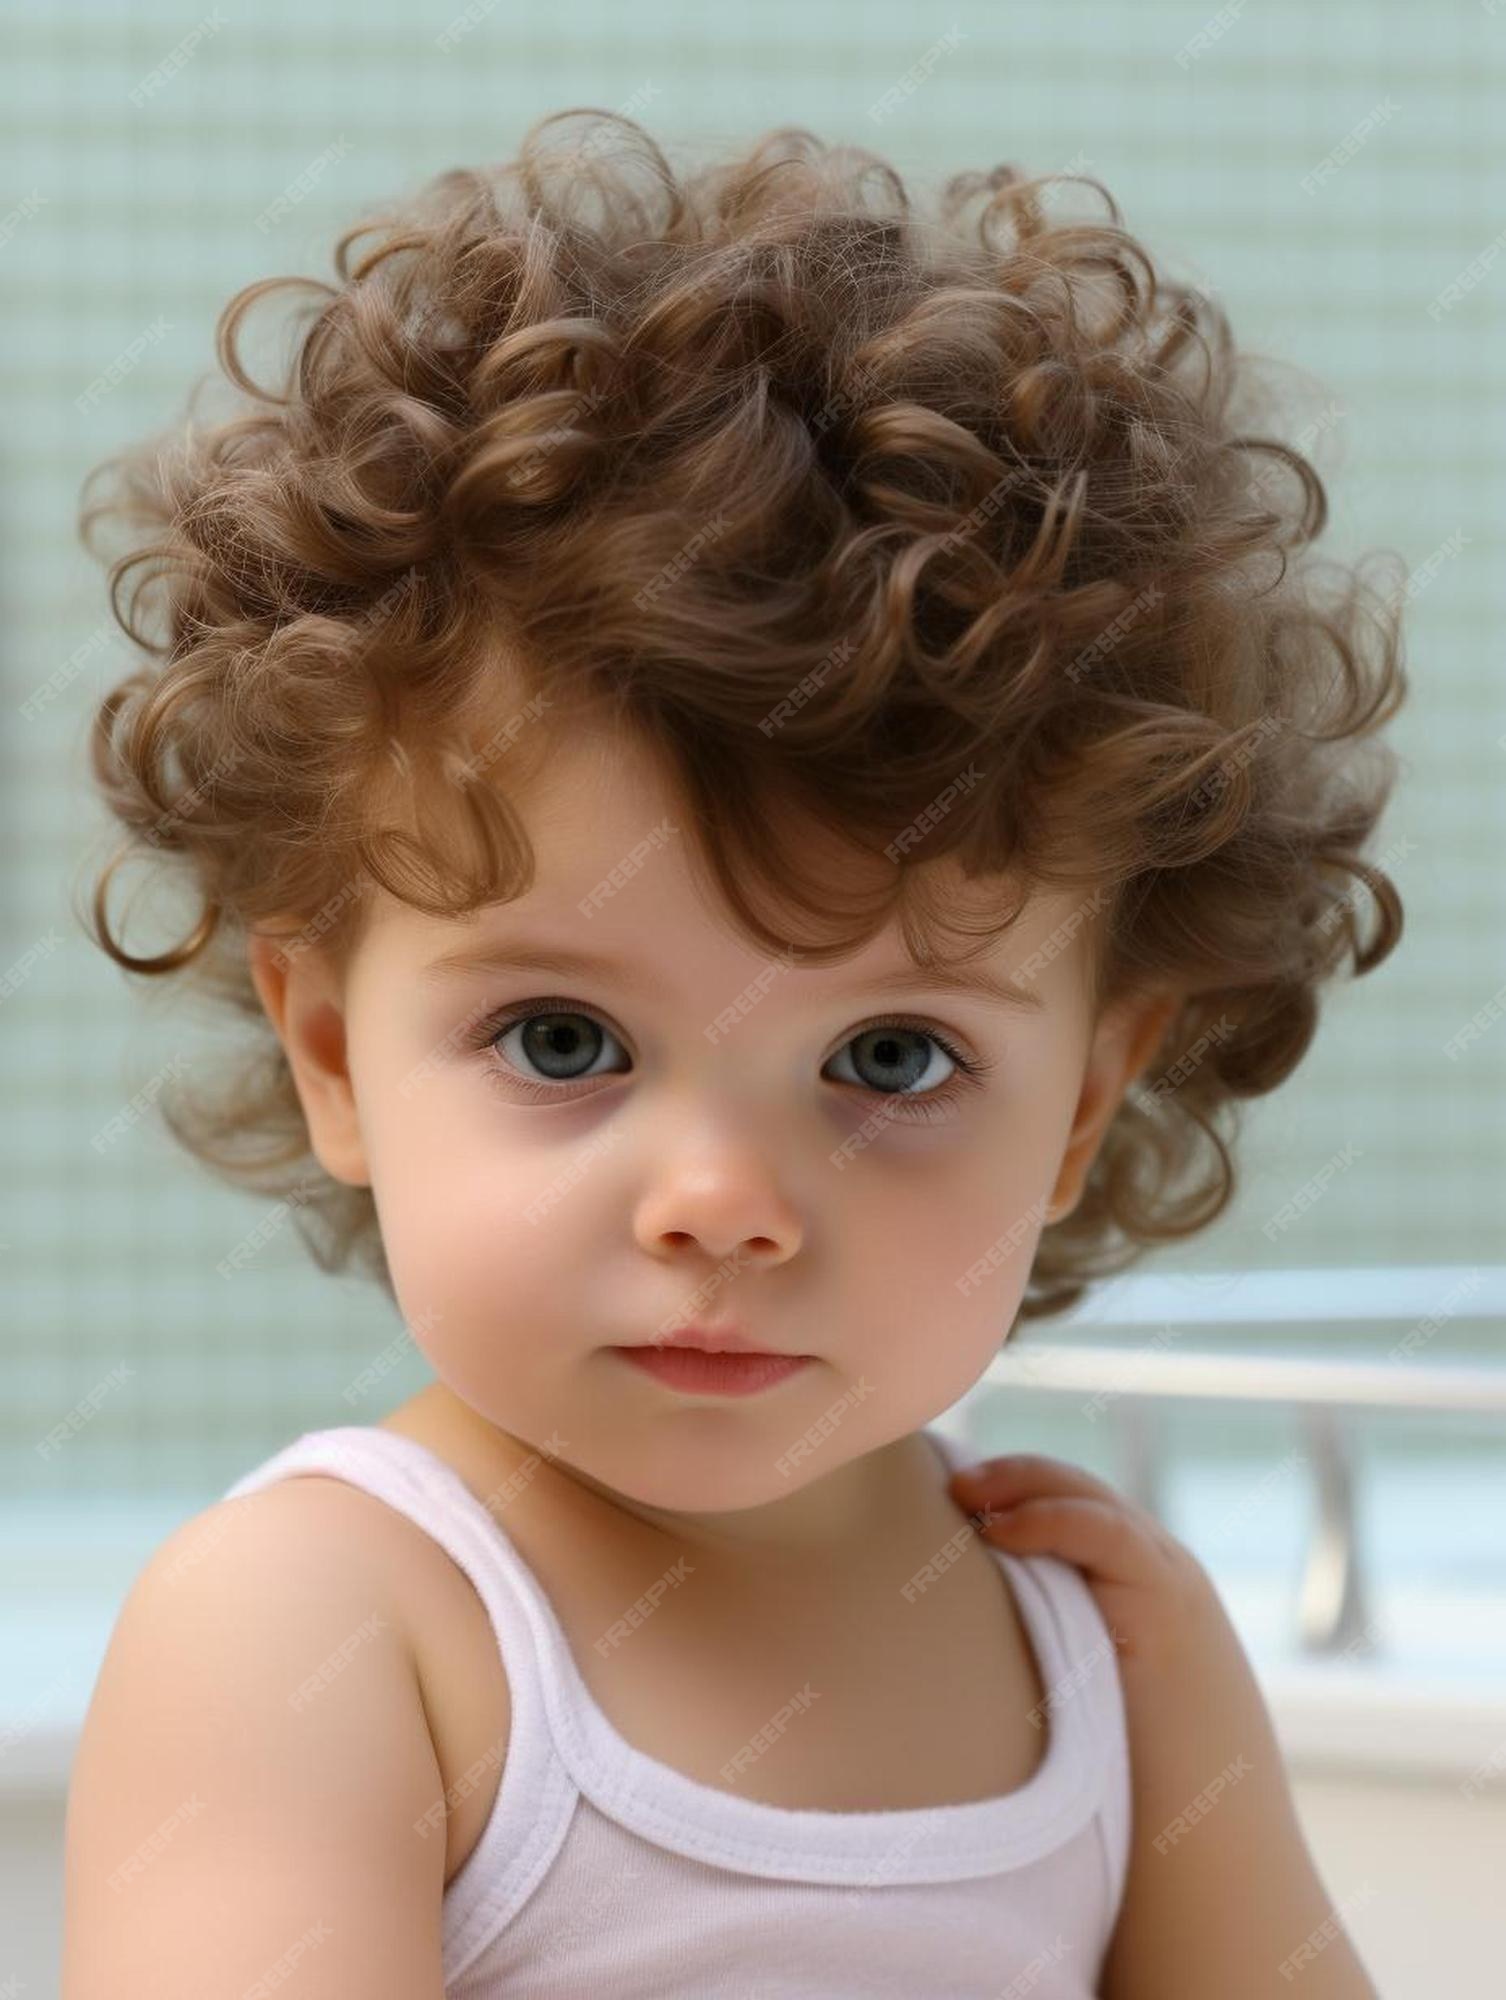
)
(619, 875)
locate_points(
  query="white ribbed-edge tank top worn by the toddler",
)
(603, 1869)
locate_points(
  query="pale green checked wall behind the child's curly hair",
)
(117, 217)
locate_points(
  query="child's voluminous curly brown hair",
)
(823, 499)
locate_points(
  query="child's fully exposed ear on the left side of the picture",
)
(305, 1001)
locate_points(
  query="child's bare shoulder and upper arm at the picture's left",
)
(227, 1817)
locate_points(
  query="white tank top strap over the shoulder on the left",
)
(537, 1795)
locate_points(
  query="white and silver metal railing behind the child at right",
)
(1319, 1389)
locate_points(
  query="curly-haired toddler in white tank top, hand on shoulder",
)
(723, 727)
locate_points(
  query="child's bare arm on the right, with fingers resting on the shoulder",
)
(1223, 1897)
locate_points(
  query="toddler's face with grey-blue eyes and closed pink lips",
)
(695, 1177)
